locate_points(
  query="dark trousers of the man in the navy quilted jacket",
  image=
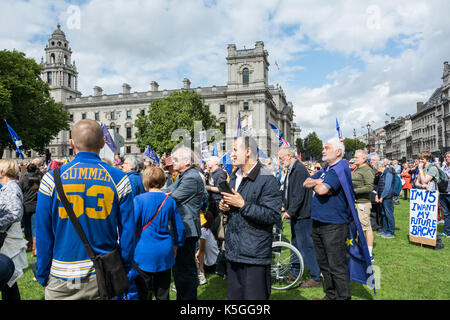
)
(248, 281)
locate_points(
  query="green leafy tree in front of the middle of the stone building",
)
(177, 111)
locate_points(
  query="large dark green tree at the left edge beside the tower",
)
(26, 105)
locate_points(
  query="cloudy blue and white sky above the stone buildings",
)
(355, 60)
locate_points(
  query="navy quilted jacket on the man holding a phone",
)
(248, 237)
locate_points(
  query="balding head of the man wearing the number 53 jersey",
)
(87, 136)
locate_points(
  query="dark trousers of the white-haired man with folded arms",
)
(331, 253)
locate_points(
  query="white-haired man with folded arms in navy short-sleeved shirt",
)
(330, 215)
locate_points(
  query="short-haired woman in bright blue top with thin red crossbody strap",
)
(155, 250)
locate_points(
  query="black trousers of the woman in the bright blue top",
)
(157, 283)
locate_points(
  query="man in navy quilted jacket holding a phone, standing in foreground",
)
(253, 209)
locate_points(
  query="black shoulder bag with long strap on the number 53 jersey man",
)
(112, 279)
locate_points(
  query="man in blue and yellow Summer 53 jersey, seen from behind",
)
(102, 201)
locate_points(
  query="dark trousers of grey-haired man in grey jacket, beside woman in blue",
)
(185, 271)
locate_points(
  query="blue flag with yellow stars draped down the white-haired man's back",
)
(359, 263)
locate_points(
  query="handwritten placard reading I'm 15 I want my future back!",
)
(423, 208)
